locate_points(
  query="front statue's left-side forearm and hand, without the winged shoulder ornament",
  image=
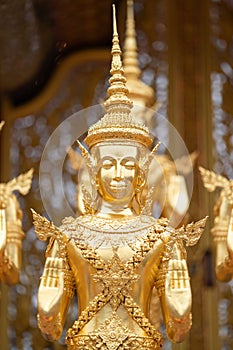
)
(55, 292)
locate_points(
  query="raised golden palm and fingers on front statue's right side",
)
(177, 289)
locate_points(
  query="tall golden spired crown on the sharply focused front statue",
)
(118, 122)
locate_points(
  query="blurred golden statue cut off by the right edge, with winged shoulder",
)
(222, 230)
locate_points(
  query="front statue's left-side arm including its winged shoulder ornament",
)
(57, 282)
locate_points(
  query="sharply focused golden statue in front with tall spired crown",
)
(115, 253)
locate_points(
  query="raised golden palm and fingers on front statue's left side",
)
(51, 288)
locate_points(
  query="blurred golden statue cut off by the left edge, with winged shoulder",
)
(11, 233)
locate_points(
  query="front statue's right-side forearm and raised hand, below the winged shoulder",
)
(175, 296)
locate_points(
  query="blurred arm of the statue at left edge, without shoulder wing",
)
(11, 236)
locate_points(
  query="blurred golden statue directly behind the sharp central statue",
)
(166, 177)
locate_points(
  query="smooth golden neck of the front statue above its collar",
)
(112, 210)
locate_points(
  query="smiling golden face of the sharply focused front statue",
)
(118, 172)
